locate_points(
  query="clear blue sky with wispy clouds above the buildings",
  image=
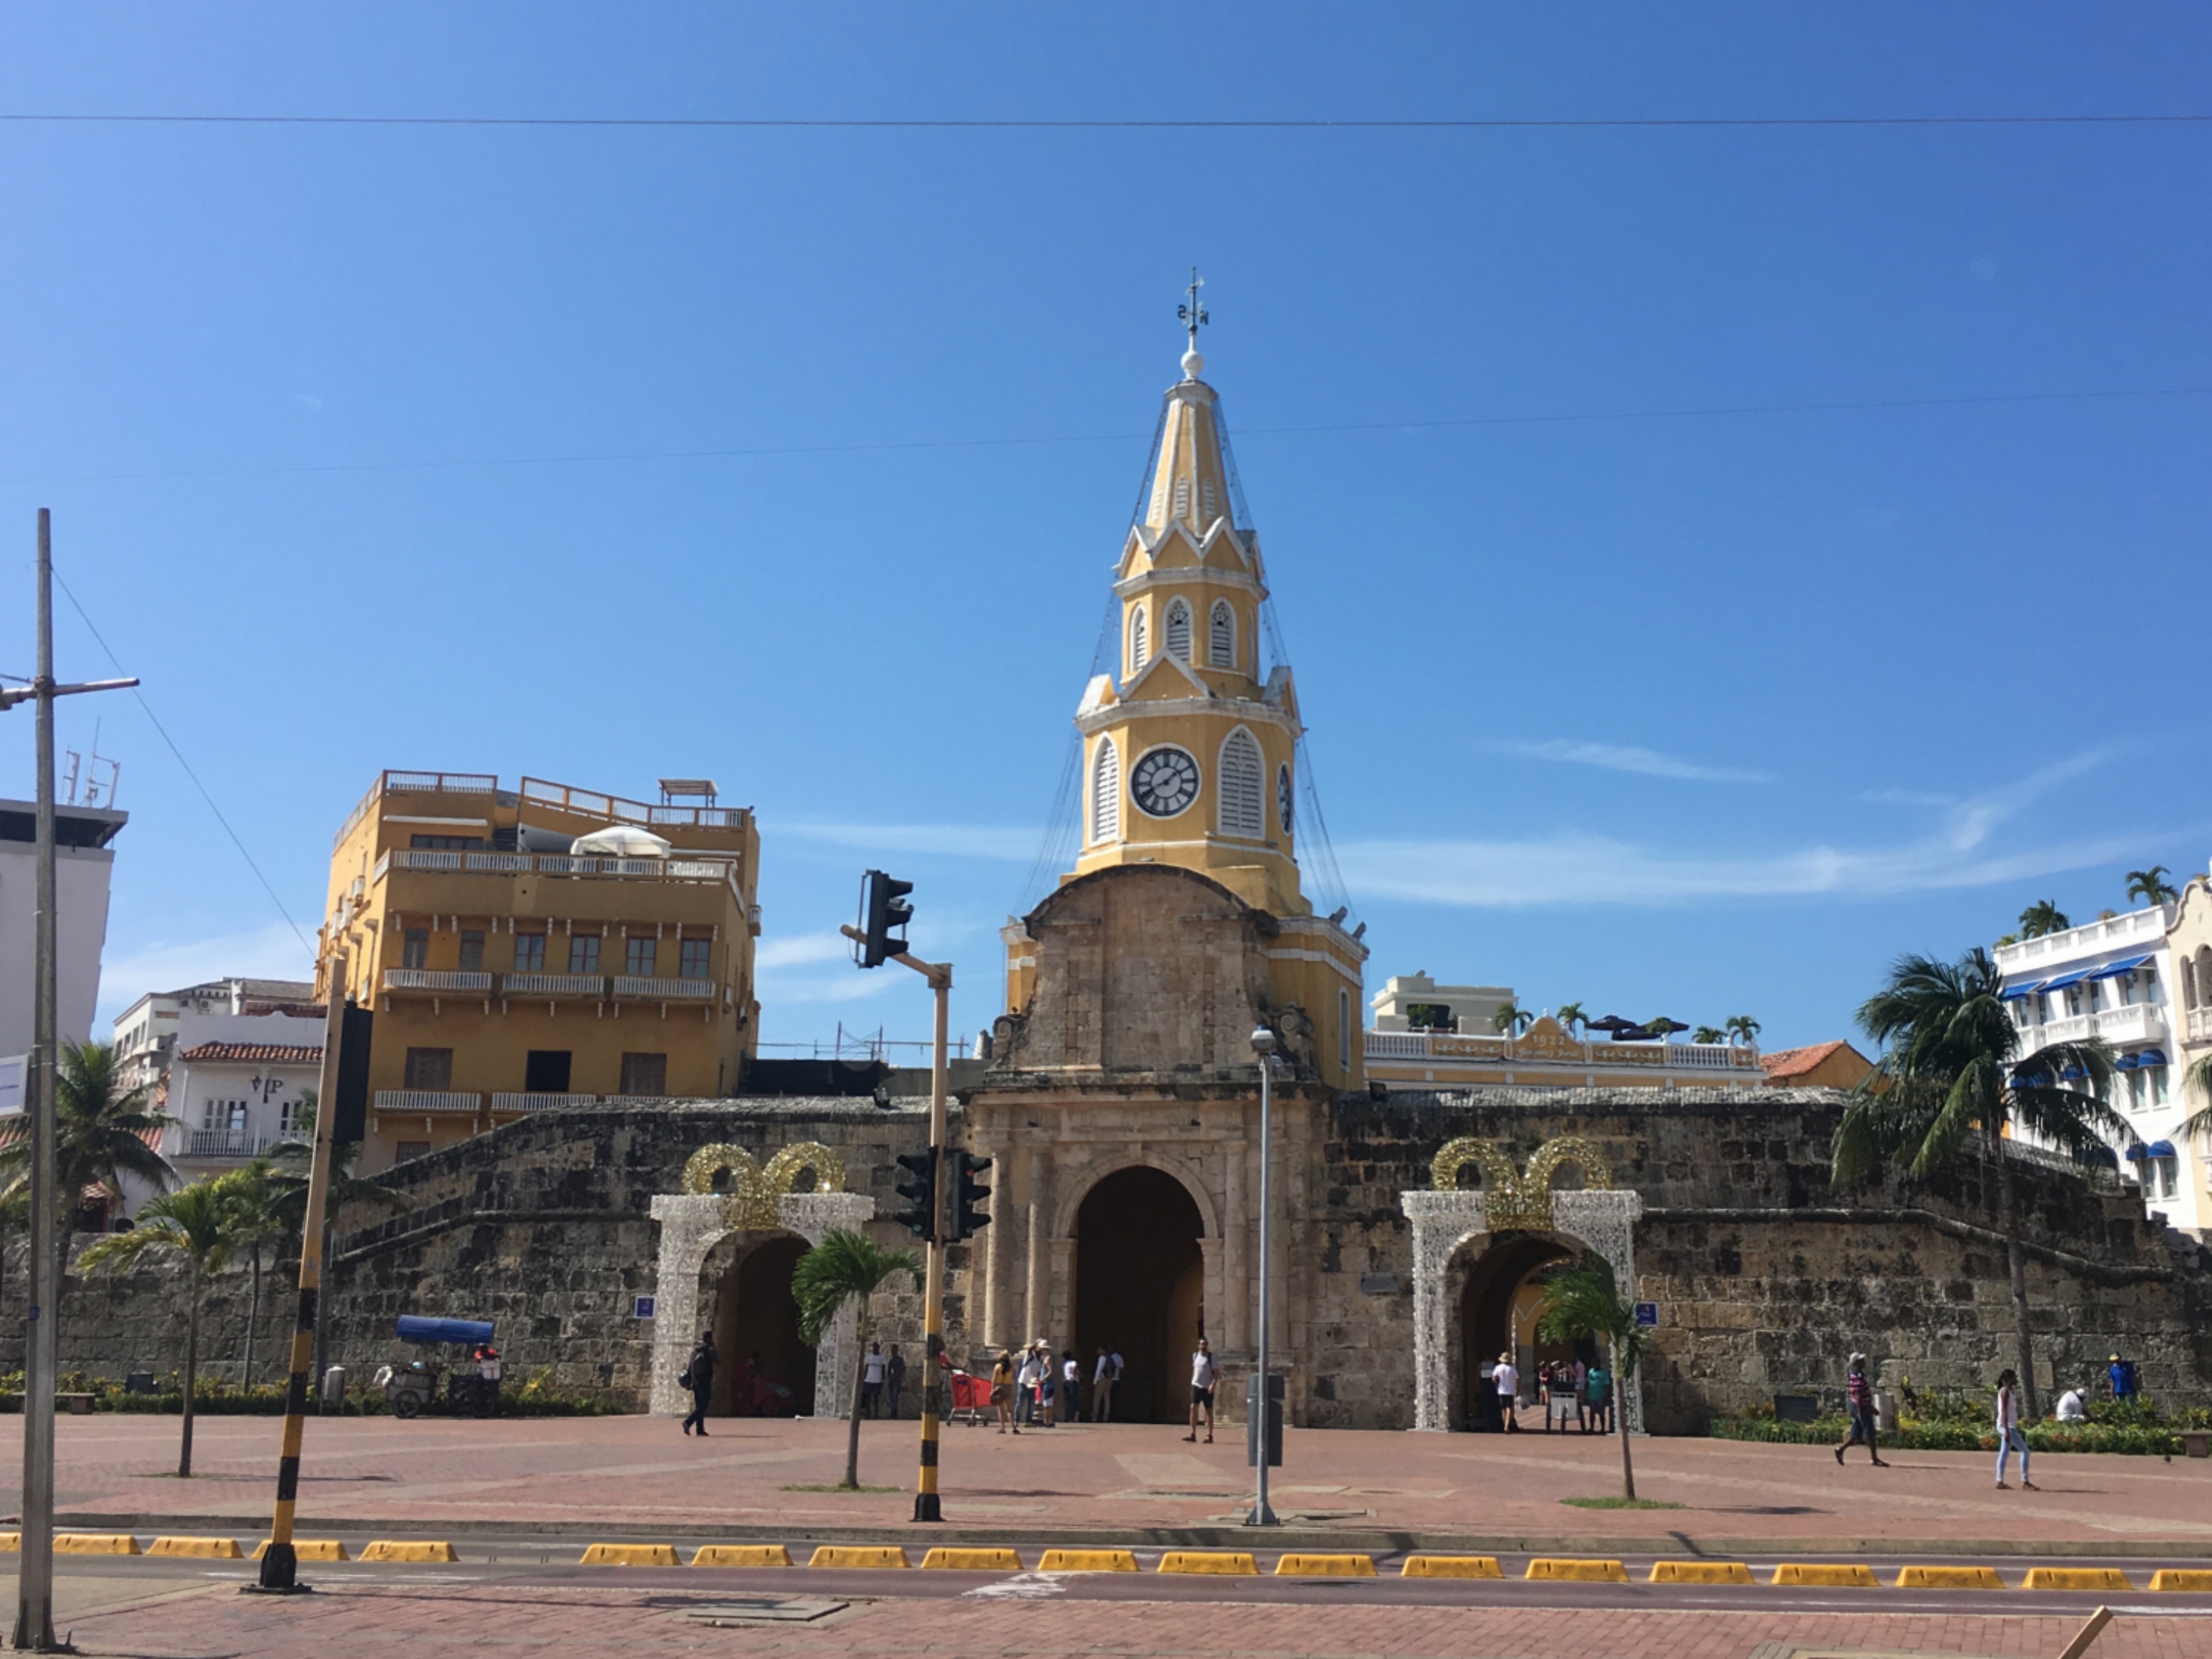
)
(800, 457)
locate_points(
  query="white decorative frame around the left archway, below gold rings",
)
(691, 1227)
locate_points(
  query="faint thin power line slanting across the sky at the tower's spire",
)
(764, 452)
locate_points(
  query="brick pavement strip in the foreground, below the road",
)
(587, 1620)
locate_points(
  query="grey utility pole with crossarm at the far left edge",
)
(34, 1598)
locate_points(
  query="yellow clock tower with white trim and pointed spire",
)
(1191, 755)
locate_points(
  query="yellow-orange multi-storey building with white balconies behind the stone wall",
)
(541, 946)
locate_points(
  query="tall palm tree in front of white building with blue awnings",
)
(1952, 1083)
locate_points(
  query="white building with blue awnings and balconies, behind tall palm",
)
(2114, 979)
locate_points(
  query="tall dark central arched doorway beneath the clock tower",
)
(1140, 1288)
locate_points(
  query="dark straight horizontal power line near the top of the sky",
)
(1100, 125)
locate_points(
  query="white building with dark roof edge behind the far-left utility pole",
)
(81, 897)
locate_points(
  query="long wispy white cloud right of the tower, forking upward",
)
(1583, 868)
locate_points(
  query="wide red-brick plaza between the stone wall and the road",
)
(640, 1474)
